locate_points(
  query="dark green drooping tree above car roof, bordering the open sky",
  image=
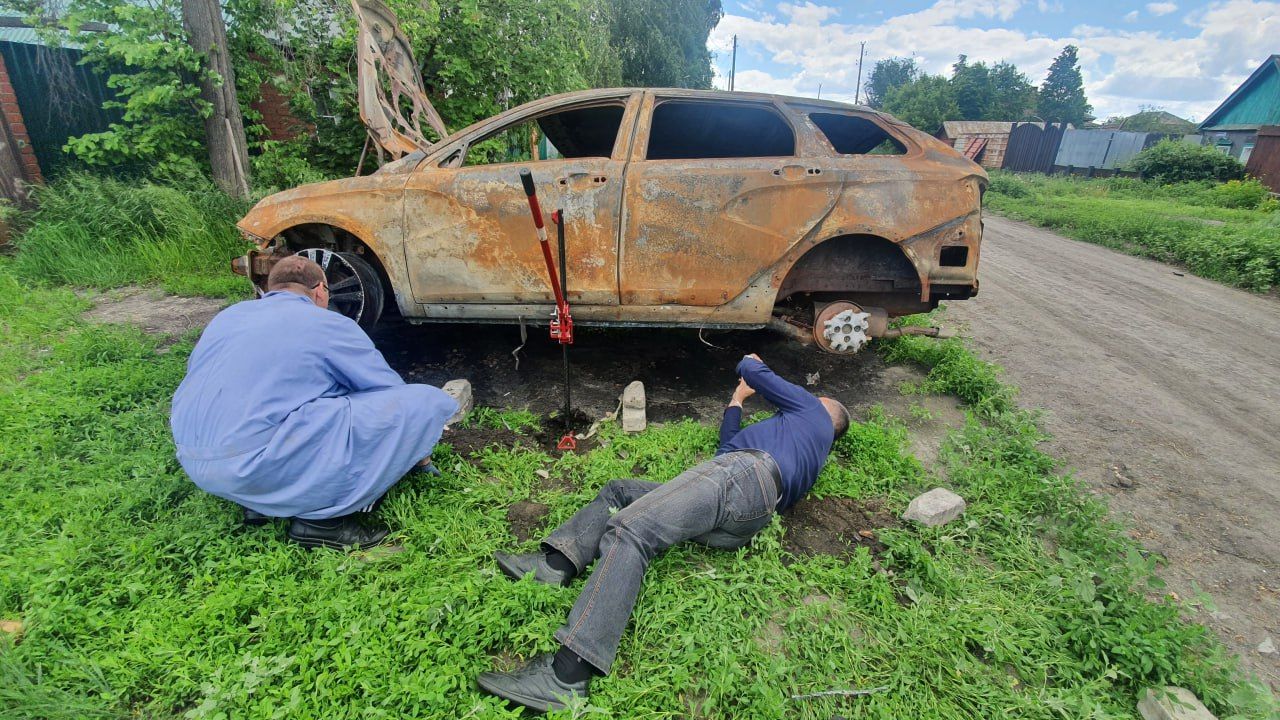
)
(664, 43)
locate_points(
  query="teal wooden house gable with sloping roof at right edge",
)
(1233, 129)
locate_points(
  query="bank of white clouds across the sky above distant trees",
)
(1123, 69)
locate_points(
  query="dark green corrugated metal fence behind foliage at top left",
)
(60, 98)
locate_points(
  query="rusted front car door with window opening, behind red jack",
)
(468, 230)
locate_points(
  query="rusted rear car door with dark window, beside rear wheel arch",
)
(716, 194)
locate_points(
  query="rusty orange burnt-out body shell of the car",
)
(708, 243)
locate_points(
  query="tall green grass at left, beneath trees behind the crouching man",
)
(100, 233)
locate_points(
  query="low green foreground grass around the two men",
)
(144, 598)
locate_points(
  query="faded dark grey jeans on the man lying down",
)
(721, 503)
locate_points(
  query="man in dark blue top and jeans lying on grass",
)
(757, 472)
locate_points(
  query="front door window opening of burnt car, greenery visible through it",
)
(582, 133)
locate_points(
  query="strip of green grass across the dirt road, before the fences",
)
(1228, 234)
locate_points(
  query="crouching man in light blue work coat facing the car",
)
(289, 411)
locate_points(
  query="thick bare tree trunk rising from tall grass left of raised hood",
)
(225, 129)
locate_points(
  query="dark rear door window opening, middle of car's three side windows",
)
(689, 130)
